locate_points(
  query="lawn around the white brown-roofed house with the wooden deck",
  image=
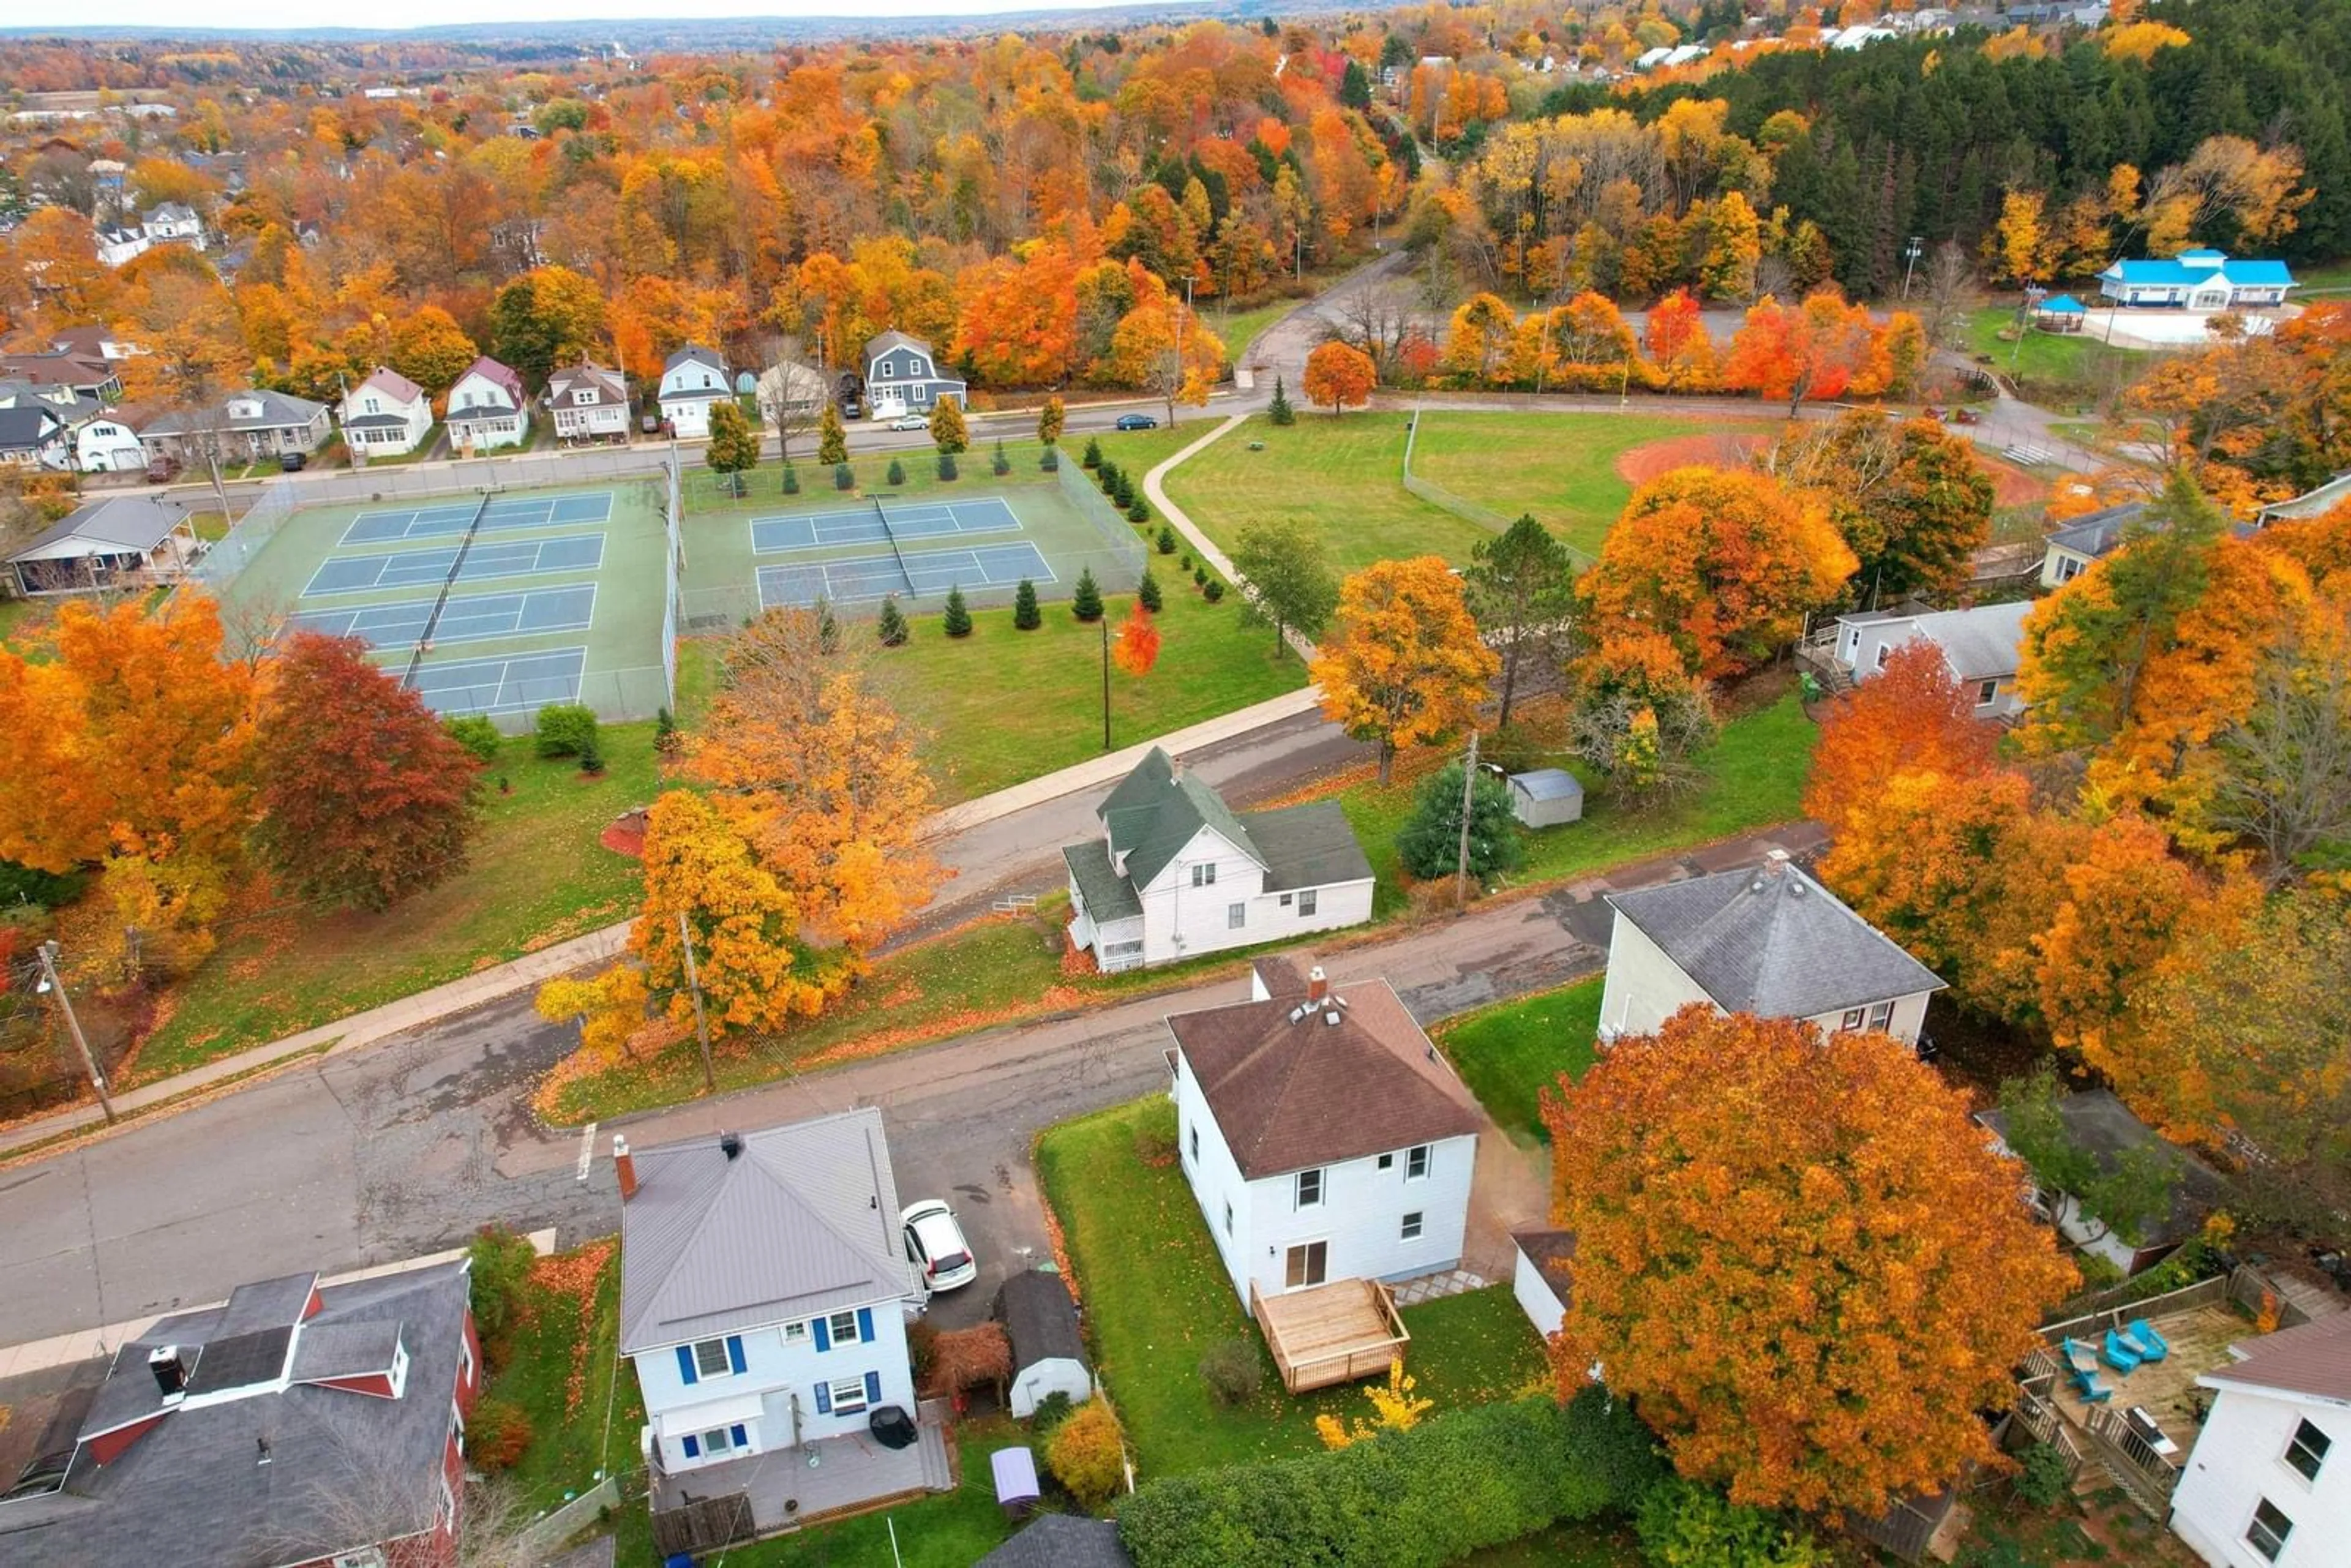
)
(1158, 1299)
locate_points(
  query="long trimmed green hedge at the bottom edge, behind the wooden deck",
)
(1449, 1487)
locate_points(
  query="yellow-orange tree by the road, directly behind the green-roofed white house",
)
(1405, 662)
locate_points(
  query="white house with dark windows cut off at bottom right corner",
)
(2265, 1487)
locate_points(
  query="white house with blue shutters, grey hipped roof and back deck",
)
(765, 1292)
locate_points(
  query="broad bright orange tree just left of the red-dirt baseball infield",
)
(1722, 563)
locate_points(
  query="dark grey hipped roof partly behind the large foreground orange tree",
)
(1776, 944)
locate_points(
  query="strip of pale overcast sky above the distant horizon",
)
(436, 13)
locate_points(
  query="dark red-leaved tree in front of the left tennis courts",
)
(366, 798)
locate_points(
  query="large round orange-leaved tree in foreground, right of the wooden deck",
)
(1795, 1257)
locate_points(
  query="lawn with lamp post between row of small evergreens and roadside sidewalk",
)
(1210, 664)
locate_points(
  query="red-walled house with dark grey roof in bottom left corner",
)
(295, 1423)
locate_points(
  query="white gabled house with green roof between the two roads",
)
(1177, 873)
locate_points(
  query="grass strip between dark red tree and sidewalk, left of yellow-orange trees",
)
(535, 876)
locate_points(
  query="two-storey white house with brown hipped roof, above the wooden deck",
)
(1322, 1134)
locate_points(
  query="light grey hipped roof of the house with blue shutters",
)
(803, 1221)
